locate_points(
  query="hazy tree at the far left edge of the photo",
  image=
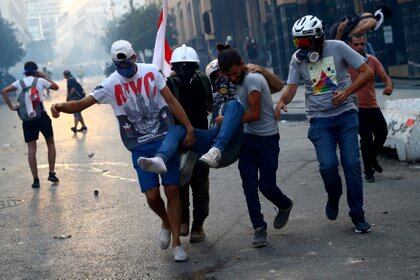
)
(10, 47)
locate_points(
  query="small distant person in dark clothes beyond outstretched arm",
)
(75, 92)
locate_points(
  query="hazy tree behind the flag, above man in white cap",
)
(139, 27)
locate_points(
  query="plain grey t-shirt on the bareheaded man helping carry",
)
(267, 124)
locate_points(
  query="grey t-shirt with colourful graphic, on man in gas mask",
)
(327, 75)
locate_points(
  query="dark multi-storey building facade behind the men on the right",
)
(203, 23)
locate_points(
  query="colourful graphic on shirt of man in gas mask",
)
(323, 75)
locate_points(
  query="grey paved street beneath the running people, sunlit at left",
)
(65, 232)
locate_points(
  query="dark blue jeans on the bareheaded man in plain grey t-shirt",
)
(259, 154)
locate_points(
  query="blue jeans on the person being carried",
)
(217, 137)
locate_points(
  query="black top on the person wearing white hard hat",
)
(194, 98)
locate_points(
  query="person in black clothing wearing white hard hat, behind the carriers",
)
(193, 90)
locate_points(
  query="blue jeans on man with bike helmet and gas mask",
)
(326, 134)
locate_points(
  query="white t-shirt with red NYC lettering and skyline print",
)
(141, 110)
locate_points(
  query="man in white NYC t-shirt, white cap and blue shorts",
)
(143, 105)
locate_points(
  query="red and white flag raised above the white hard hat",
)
(162, 52)
